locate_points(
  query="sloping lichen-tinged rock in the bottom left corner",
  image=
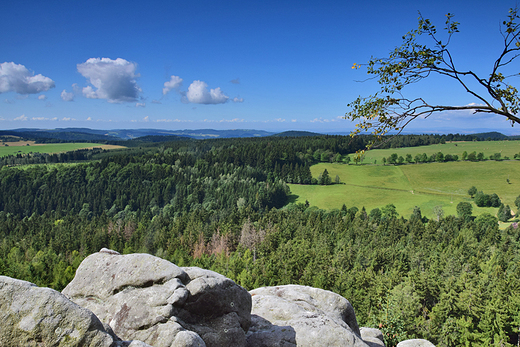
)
(44, 317)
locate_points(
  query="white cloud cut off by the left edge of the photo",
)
(16, 78)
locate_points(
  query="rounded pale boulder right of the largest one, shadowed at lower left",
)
(294, 315)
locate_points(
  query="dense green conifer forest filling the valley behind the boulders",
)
(223, 204)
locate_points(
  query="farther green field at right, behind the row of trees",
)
(506, 148)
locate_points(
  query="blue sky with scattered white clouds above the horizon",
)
(271, 65)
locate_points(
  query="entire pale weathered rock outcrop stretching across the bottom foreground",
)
(139, 297)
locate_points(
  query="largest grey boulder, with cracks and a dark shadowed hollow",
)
(146, 298)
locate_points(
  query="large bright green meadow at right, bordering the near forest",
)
(406, 186)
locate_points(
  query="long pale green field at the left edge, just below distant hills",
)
(23, 147)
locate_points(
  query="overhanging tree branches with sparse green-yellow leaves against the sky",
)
(389, 109)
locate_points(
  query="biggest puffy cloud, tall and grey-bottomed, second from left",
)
(114, 80)
